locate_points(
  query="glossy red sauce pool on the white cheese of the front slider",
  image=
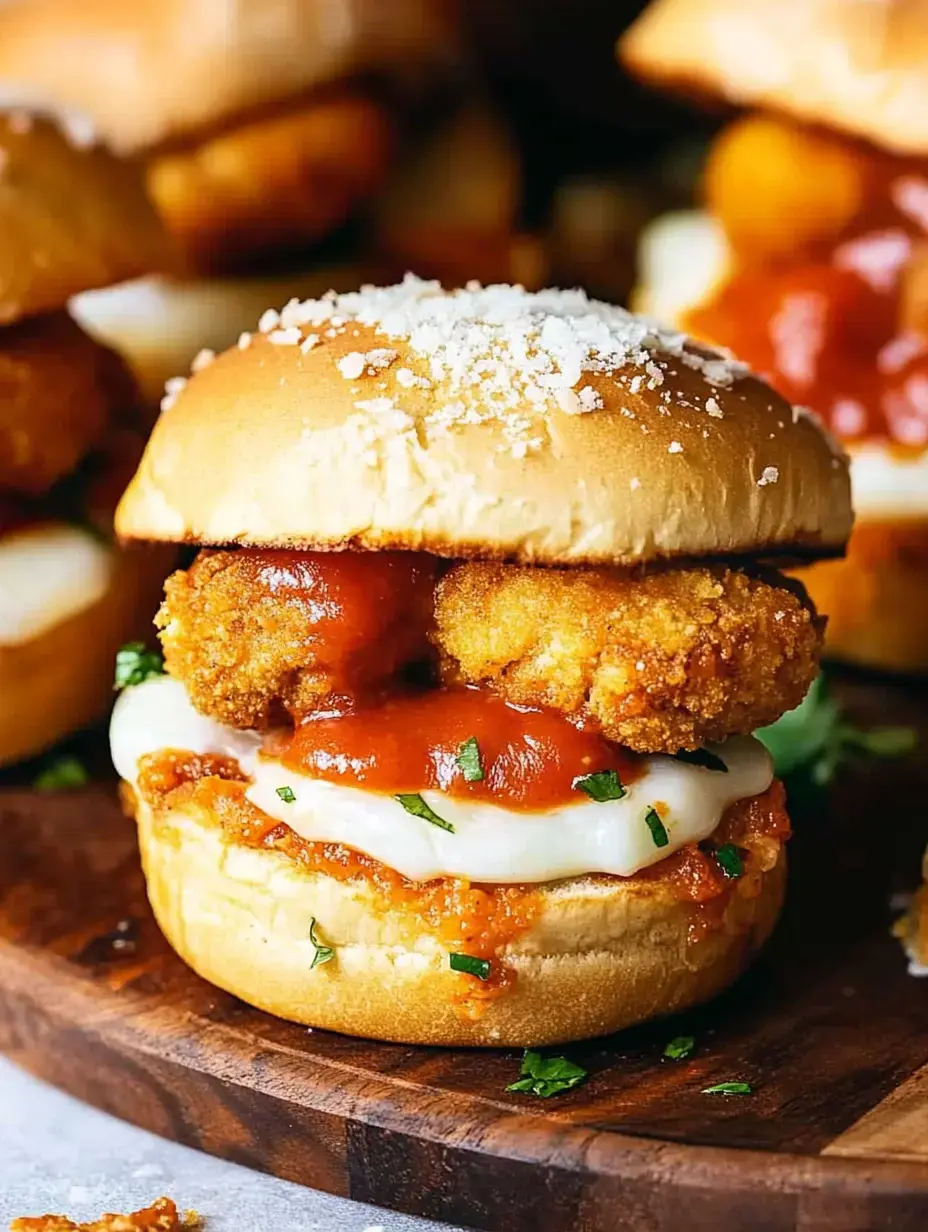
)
(529, 757)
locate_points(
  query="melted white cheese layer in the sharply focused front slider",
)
(490, 843)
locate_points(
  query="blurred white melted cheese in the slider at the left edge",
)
(47, 575)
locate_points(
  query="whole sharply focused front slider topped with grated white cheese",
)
(453, 744)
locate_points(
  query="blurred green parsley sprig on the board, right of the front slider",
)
(816, 739)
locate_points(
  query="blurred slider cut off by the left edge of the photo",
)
(72, 216)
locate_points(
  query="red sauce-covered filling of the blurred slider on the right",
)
(840, 321)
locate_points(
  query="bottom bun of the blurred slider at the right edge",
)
(877, 598)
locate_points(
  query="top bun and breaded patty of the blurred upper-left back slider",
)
(259, 123)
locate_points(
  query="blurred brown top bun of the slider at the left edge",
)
(73, 217)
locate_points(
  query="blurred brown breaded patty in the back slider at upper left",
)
(274, 183)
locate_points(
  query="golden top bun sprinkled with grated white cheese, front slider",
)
(486, 423)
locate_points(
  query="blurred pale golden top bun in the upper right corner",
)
(862, 68)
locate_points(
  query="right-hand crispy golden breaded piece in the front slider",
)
(664, 662)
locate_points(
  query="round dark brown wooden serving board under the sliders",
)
(829, 1028)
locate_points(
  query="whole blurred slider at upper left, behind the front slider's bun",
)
(262, 128)
